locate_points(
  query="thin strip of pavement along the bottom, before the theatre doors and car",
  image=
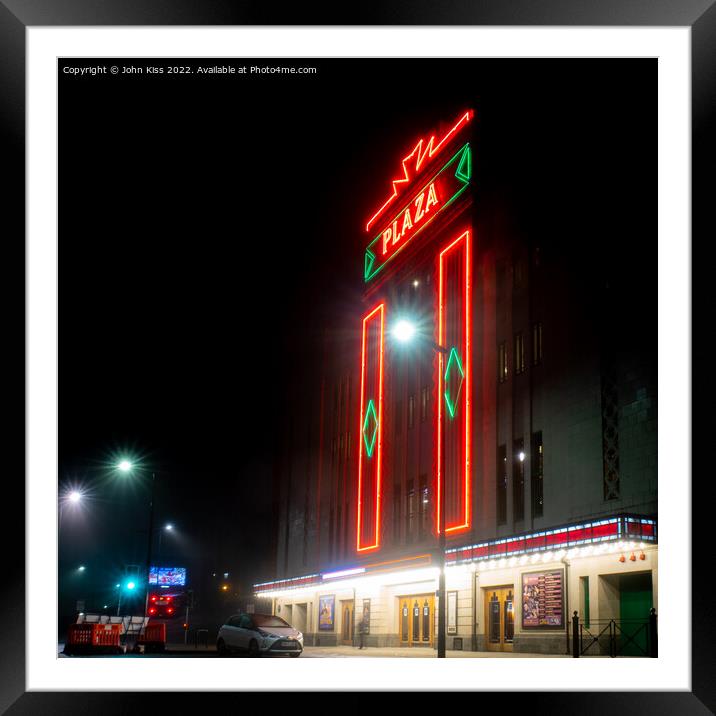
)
(323, 652)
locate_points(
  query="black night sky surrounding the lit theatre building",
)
(210, 225)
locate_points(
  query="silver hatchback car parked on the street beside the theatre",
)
(259, 634)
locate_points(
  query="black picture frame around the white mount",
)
(17, 15)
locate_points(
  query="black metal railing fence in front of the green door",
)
(613, 637)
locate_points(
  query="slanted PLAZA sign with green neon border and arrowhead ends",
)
(439, 192)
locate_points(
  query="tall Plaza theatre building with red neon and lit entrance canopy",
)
(495, 385)
